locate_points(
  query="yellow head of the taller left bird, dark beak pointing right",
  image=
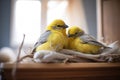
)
(57, 25)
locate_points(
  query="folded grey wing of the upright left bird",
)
(43, 38)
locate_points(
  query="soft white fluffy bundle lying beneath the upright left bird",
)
(49, 56)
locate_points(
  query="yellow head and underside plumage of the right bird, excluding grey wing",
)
(75, 43)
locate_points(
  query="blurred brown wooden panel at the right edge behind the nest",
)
(111, 20)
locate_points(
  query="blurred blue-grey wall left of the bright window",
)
(4, 22)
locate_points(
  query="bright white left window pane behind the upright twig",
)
(26, 21)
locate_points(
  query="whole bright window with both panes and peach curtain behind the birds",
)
(30, 17)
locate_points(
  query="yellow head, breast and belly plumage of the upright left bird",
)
(57, 39)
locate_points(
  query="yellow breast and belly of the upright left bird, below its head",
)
(55, 41)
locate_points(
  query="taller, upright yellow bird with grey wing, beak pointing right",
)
(54, 38)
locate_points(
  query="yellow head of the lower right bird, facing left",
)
(75, 31)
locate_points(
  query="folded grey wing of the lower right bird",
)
(86, 38)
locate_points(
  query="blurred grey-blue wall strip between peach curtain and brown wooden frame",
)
(90, 12)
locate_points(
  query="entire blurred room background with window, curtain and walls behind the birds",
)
(30, 17)
